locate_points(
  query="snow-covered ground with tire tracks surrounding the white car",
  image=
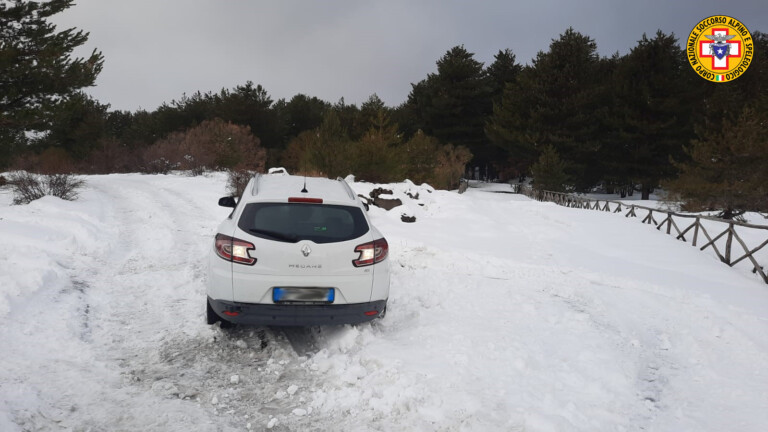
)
(505, 314)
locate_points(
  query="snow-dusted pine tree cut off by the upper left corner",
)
(36, 67)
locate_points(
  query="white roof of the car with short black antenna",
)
(281, 187)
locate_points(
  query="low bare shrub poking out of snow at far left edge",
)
(28, 187)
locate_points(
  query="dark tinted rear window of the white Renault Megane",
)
(293, 222)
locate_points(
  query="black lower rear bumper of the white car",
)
(297, 315)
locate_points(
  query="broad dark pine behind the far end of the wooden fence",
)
(561, 101)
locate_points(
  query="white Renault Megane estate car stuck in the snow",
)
(297, 251)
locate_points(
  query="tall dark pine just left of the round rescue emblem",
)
(655, 99)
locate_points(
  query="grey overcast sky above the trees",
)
(157, 50)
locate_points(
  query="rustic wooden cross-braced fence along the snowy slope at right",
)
(663, 219)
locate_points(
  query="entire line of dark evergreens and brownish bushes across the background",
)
(627, 123)
